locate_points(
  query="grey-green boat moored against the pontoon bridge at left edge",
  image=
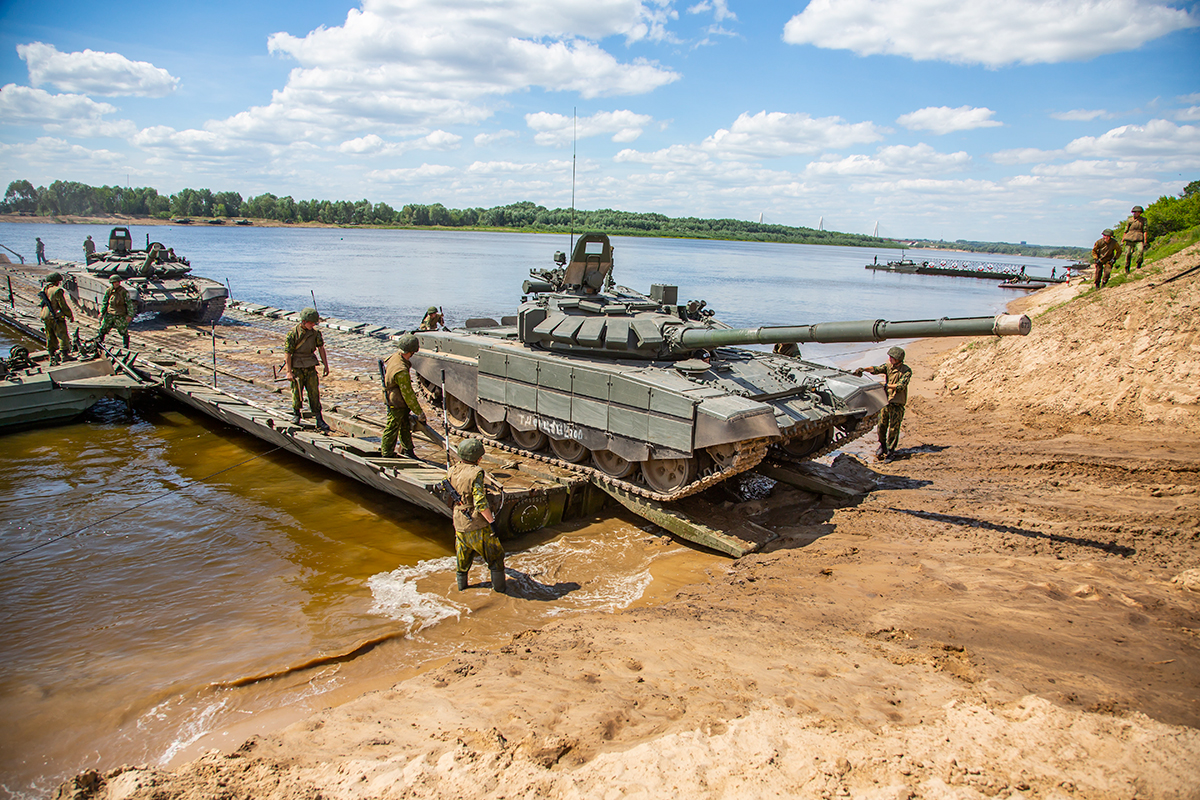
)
(40, 394)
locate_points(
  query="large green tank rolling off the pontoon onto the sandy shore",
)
(653, 395)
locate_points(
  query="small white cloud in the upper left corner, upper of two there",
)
(94, 74)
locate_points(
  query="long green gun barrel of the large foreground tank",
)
(867, 330)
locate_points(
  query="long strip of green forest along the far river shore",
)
(71, 199)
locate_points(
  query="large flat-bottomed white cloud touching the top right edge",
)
(991, 34)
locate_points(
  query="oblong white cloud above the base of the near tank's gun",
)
(776, 135)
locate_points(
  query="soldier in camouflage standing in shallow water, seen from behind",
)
(473, 518)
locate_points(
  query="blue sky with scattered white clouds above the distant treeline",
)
(1011, 121)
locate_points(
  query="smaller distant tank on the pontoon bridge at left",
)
(157, 279)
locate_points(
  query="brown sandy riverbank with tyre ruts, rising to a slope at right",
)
(1013, 612)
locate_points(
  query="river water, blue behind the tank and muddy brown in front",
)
(194, 560)
